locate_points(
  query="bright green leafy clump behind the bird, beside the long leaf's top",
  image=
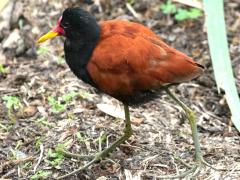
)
(180, 14)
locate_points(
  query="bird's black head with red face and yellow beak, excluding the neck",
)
(75, 24)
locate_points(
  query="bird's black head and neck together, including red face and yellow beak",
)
(82, 34)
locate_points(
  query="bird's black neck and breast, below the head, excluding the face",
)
(77, 54)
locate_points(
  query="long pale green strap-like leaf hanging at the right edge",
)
(216, 30)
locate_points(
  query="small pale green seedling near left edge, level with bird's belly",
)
(13, 104)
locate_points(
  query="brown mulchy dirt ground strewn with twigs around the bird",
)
(36, 74)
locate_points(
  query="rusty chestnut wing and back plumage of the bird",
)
(123, 63)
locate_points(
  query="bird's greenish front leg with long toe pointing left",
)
(127, 134)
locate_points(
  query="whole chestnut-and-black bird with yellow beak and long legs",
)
(125, 60)
